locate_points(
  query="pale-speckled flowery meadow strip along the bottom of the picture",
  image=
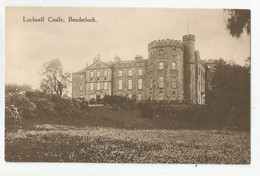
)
(59, 143)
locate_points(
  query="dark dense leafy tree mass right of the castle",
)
(230, 94)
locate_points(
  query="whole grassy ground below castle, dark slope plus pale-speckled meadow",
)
(108, 136)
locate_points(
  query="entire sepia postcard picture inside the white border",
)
(127, 85)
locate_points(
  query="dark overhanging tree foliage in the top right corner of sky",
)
(238, 22)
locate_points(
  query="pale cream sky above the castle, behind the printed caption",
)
(123, 32)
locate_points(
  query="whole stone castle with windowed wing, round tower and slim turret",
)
(173, 71)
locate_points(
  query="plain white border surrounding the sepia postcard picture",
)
(142, 169)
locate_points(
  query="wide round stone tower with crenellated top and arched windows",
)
(165, 70)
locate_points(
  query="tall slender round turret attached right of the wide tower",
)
(189, 68)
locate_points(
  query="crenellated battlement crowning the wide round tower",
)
(164, 42)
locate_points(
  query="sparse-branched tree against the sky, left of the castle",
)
(54, 80)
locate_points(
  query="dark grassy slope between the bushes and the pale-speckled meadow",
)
(126, 119)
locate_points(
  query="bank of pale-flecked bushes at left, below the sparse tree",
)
(31, 104)
